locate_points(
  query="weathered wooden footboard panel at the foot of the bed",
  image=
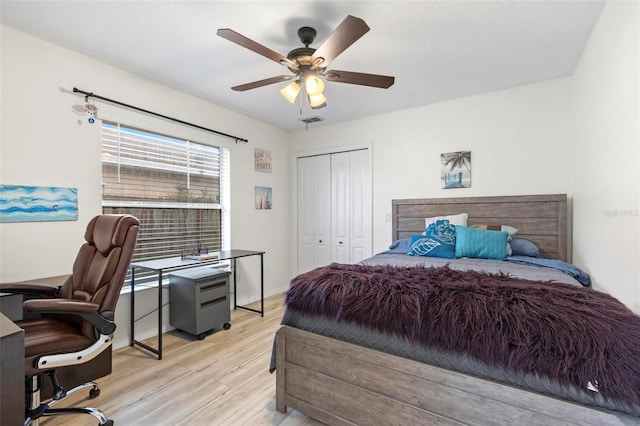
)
(340, 383)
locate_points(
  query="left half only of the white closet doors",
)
(314, 212)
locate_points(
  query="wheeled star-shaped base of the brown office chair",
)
(36, 409)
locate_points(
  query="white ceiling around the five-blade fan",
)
(437, 50)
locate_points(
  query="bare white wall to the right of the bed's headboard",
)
(606, 157)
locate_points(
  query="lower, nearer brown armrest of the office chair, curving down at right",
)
(86, 310)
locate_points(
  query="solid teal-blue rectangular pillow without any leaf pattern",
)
(479, 243)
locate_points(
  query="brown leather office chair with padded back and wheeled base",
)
(76, 324)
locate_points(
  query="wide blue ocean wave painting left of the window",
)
(37, 203)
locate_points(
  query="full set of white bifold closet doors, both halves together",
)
(333, 209)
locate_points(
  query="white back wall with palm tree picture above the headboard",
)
(518, 140)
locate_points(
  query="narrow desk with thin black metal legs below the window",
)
(160, 266)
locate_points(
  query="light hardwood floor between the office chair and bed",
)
(221, 380)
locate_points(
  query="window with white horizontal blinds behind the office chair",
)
(177, 188)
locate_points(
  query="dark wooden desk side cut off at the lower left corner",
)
(11, 373)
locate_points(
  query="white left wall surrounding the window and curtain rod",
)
(44, 143)
